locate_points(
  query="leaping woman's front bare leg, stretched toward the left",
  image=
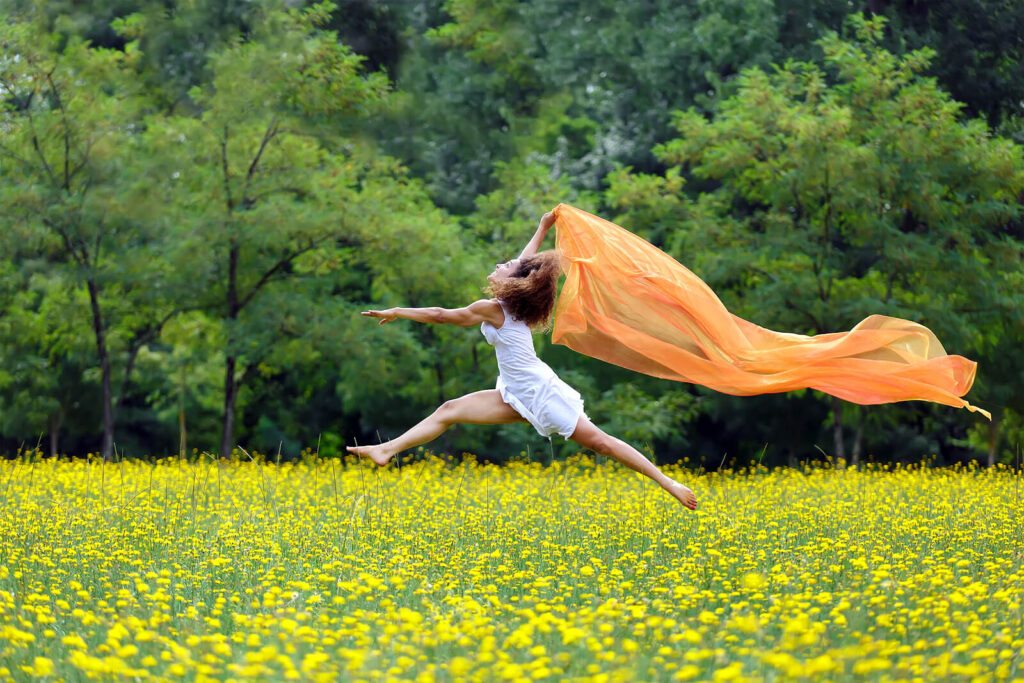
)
(481, 408)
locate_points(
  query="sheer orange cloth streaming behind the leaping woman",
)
(629, 304)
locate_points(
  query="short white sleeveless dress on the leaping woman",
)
(528, 385)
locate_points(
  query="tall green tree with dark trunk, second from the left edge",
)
(276, 206)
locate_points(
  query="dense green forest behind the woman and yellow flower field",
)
(198, 197)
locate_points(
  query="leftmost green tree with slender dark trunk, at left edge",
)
(70, 194)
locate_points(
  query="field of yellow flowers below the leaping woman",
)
(329, 569)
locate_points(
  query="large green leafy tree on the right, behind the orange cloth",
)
(844, 192)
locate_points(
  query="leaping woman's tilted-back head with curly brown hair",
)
(530, 292)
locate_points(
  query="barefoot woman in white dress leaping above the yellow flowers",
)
(528, 390)
